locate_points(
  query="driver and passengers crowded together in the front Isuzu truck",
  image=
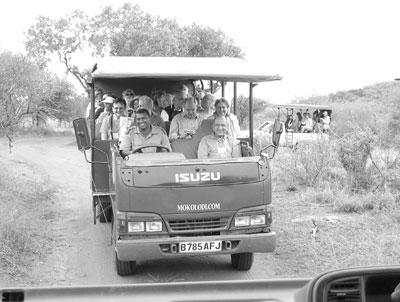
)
(149, 116)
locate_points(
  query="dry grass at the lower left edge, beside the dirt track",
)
(25, 208)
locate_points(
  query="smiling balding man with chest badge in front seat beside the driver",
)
(219, 144)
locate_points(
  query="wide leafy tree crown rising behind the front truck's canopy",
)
(124, 31)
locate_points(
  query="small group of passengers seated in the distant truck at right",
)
(303, 123)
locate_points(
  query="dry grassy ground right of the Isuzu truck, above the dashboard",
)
(344, 238)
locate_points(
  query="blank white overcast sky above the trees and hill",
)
(318, 47)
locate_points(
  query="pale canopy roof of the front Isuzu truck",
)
(181, 68)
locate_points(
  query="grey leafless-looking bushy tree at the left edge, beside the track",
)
(26, 91)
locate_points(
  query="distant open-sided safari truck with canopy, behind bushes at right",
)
(291, 137)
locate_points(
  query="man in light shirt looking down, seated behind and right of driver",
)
(185, 124)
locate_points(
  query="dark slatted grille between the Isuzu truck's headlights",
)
(198, 224)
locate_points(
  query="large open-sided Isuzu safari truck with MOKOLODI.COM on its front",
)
(172, 204)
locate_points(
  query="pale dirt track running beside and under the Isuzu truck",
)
(82, 252)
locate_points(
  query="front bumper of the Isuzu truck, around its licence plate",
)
(159, 248)
